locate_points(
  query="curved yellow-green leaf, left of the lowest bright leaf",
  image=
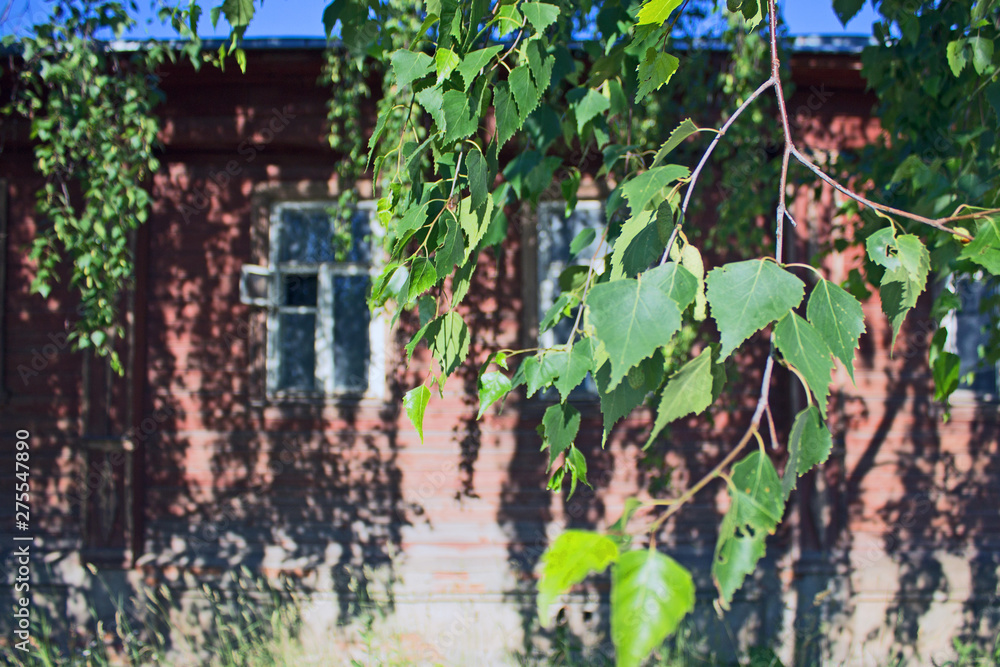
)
(567, 561)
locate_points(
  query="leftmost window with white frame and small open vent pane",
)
(321, 338)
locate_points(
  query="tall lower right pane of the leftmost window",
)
(350, 332)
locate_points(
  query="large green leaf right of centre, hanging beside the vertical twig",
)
(747, 296)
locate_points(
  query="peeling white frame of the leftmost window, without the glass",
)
(324, 308)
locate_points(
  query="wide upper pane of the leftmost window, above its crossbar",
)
(311, 234)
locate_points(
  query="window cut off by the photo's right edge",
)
(971, 330)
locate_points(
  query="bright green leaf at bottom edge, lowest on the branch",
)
(650, 595)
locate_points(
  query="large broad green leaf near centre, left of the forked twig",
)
(631, 319)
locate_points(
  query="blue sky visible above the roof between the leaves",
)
(301, 18)
